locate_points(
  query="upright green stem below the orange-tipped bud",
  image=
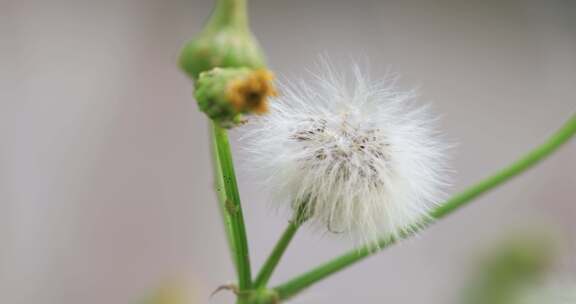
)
(234, 219)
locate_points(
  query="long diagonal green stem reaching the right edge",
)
(305, 280)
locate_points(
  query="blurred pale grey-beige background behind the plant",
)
(105, 179)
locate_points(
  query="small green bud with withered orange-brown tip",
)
(225, 94)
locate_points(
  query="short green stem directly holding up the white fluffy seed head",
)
(274, 258)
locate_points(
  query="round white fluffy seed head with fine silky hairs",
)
(362, 157)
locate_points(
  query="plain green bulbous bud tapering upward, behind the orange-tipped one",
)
(226, 41)
